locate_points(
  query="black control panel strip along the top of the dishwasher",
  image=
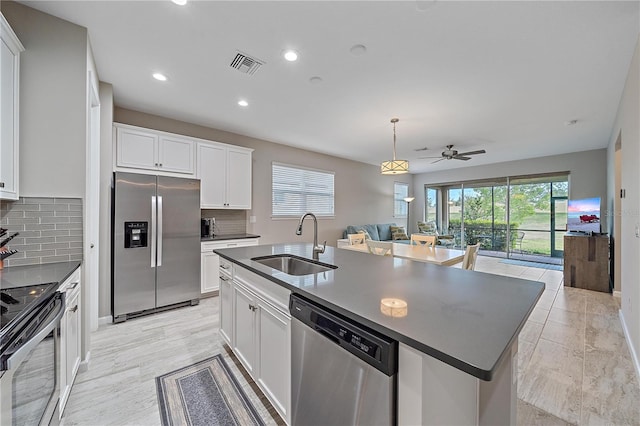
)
(377, 350)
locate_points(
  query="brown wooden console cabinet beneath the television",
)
(586, 262)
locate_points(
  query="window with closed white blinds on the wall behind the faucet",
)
(296, 191)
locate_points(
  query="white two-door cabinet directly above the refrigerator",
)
(145, 149)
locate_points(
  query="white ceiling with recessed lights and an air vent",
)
(499, 76)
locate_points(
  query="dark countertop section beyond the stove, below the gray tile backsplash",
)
(22, 276)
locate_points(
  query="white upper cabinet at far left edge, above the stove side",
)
(10, 49)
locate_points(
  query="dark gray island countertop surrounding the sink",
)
(466, 319)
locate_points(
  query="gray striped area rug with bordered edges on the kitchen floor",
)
(204, 394)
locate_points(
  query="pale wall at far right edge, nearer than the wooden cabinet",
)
(627, 127)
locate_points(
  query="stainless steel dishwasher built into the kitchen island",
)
(341, 372)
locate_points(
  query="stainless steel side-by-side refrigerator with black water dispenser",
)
(155, 245)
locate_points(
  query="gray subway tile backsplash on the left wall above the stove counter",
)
(50, 229)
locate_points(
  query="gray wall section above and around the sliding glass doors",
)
(588, 175)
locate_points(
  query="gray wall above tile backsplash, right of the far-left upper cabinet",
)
(53, 87)
